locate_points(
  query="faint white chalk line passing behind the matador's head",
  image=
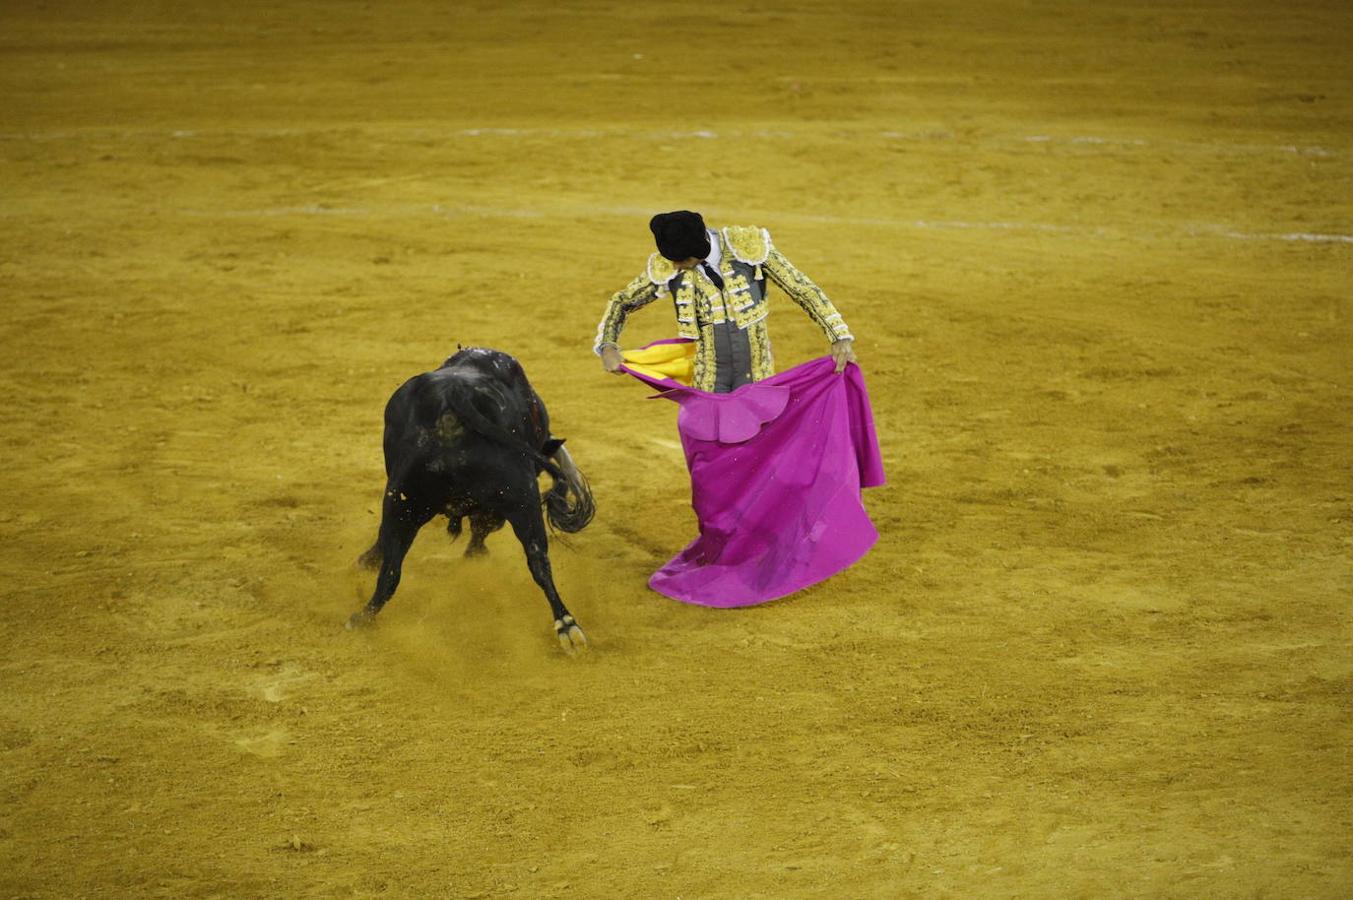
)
(527, 213)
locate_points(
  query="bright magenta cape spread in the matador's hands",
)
(776, 476)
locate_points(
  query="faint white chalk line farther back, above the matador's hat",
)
(702, 135)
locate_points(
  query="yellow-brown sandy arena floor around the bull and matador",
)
(1099, 259)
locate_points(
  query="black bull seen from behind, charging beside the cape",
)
(470, 441)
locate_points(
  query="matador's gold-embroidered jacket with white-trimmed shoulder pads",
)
(749, 258)
